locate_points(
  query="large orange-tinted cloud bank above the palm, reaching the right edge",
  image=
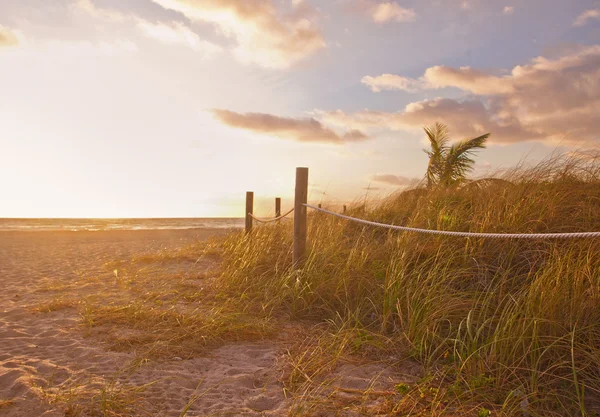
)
(547, 99)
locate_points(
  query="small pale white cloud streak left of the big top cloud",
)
(177, 33)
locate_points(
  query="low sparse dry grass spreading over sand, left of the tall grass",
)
(164, 307)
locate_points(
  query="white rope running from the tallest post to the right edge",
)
(464, 234)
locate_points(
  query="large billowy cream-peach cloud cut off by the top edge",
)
(263, 36)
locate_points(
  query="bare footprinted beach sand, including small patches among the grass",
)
(52, 364)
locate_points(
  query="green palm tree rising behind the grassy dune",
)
(450, 164)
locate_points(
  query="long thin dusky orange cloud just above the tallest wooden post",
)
(301, 130)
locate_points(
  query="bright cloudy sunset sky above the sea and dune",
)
(175, 108)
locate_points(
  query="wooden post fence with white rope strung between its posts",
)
(300, 221)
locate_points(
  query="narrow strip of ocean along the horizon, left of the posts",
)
(37, 225)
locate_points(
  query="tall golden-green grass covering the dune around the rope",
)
(513, 324)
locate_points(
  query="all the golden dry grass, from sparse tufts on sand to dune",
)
(502, 328)
